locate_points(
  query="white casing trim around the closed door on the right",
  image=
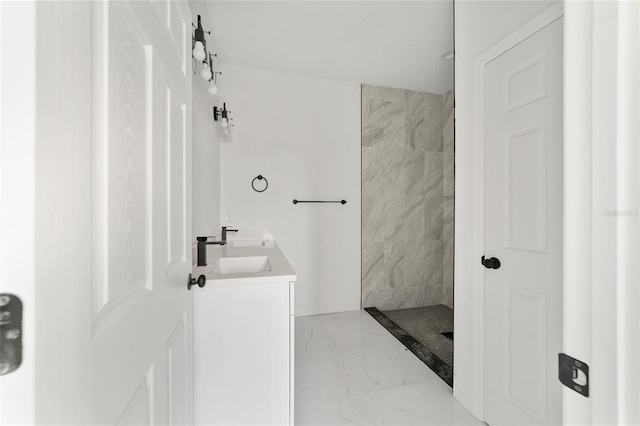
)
(548, 16)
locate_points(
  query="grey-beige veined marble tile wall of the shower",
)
(407, 198)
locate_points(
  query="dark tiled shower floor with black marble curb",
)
(426, 331)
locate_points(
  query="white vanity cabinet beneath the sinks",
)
(244, 344)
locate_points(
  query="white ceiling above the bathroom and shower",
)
(382, 43)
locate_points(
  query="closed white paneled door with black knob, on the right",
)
(523, 229)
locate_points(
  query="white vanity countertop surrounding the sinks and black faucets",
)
(245, 244)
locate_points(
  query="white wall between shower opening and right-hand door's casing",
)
(478, 26)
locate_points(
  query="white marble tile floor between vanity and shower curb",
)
(351, 371)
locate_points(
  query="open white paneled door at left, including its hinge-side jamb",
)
(110, 315)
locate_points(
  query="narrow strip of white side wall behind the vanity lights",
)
(206, 148)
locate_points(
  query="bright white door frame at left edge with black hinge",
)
(18, 42)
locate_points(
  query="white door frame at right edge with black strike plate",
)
(602, 201)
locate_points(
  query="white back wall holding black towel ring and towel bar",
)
(303, 134)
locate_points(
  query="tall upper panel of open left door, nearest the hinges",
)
(121, 262)
